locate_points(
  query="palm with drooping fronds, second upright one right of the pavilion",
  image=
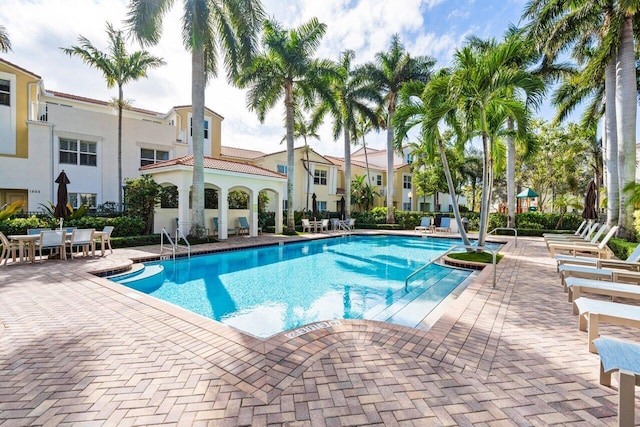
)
(353, 97)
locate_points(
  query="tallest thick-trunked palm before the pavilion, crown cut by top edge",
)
(209, 27)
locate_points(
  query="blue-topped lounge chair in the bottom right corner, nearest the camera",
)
(624, 357)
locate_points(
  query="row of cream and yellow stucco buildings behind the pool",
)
(43, 132)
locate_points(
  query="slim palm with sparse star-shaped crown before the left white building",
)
(119, 68)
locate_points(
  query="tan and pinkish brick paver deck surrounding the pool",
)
(76, 349)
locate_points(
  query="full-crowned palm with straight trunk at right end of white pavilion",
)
(286, 69)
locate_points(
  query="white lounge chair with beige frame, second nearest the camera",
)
(592, 312)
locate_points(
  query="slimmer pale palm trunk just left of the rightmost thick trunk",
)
(611, 154)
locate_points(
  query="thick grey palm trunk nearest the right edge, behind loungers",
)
(626, 107)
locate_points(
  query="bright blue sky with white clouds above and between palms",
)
(39, 28)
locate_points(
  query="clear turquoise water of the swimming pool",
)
(268, 290)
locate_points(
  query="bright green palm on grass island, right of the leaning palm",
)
(485, 84)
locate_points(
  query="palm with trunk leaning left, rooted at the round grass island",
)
(427, 106)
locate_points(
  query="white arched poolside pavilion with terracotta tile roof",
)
(223, 176)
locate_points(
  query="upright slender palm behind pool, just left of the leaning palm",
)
(391, 70)
